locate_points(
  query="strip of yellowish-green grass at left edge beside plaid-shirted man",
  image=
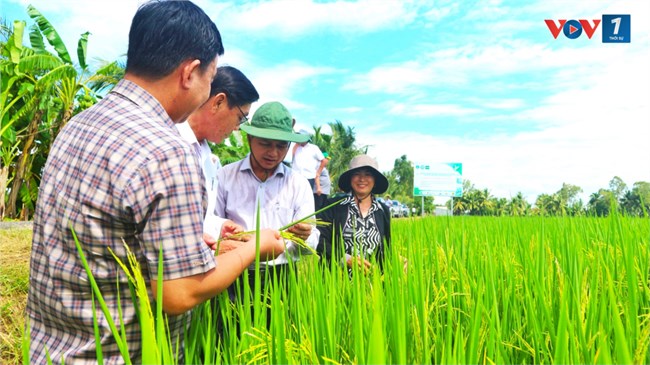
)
(15, 245)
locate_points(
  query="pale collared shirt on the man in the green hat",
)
(283, 198)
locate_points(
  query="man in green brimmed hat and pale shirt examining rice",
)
(260, 178)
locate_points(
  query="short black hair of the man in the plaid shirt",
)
(164, 34)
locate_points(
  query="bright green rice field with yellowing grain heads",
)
(474, 290)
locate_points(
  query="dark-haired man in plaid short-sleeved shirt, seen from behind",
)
(119, 174)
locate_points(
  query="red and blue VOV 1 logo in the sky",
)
(616, 28)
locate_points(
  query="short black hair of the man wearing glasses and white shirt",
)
(235, 85)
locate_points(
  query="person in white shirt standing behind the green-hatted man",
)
(309, 161)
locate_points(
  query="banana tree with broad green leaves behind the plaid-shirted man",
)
(57, 87)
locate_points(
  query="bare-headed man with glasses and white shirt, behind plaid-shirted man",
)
(231, 96)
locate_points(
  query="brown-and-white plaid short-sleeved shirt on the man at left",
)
(118, 172)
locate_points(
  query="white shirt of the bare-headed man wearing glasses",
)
(210, 164)
